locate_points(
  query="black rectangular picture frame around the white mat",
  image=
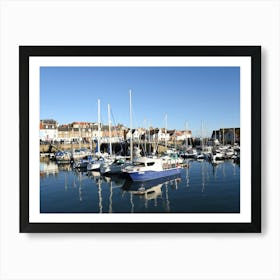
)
(254, 52)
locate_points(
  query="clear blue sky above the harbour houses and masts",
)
(186, 94)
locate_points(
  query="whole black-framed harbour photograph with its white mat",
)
(140, 138)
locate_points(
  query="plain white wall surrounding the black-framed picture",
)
(139, 256)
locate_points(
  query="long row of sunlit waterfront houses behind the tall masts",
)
(50, 130)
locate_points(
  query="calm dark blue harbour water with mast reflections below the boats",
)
(201, 188)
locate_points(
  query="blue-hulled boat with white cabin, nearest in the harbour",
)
(146, 168)
